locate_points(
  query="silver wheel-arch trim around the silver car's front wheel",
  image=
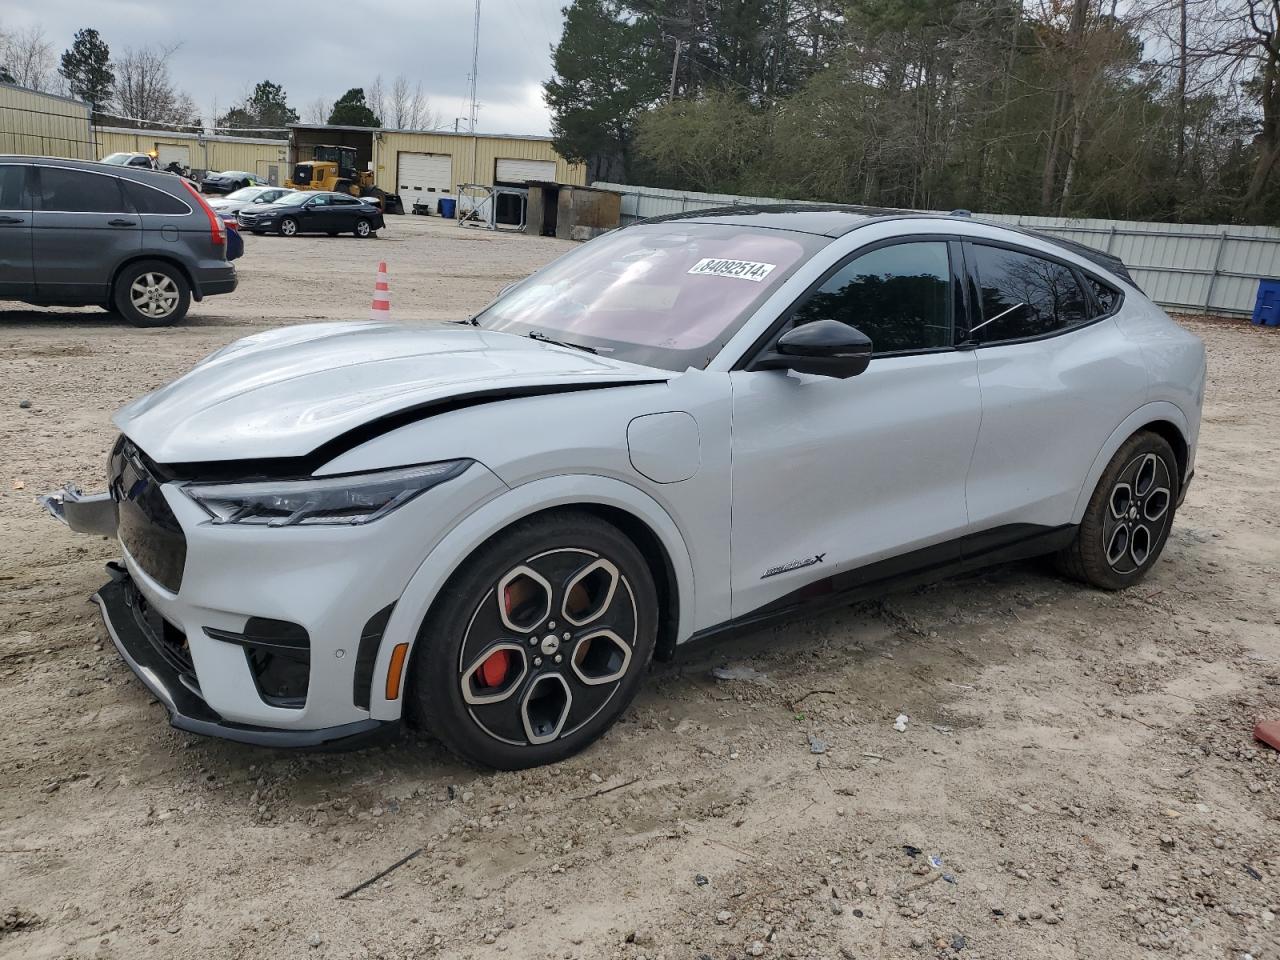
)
(500, 514)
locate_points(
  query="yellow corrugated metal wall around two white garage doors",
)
(474, 158)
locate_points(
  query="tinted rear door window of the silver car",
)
(1025, 296)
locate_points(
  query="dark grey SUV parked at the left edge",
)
(140, 243)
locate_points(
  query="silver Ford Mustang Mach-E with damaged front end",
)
(684, 427)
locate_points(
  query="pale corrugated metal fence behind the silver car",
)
(1203, 268)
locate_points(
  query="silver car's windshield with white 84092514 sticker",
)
(668, 295)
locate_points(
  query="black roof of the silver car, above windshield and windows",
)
(838, 220)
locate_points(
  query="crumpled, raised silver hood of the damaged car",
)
(284, 394)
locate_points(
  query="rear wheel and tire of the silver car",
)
(1130, 516)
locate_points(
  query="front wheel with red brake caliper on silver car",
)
(537, 644)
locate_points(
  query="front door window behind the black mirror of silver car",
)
(899, 296)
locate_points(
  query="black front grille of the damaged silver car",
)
(149, 531)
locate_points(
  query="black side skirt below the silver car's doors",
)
(929, 565)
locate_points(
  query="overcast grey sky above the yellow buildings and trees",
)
(322, 48)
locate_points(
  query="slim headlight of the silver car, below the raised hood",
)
(353, 500)
